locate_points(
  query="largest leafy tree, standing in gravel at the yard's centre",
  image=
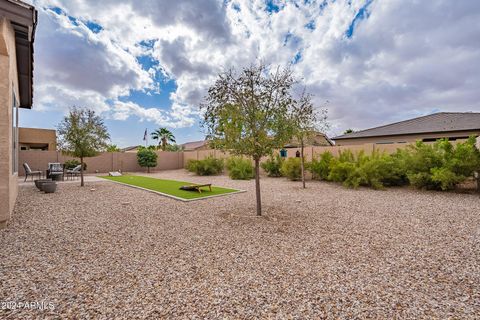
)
(246, 113)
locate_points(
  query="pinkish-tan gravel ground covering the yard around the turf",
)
(323, 252)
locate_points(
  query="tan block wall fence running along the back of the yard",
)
(127, 161)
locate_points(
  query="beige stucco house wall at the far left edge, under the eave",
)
(8, 85)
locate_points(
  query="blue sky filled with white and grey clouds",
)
(147, 63)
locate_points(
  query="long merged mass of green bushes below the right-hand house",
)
(438, 166)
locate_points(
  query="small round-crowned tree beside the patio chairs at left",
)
(82, 134)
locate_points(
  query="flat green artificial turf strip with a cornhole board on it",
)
(170, 187)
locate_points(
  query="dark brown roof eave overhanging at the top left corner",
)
(23, 18)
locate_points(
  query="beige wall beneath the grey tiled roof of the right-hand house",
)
(404, 138)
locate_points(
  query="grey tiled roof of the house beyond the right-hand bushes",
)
(437, 122)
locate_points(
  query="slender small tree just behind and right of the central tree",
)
(306, 122)
